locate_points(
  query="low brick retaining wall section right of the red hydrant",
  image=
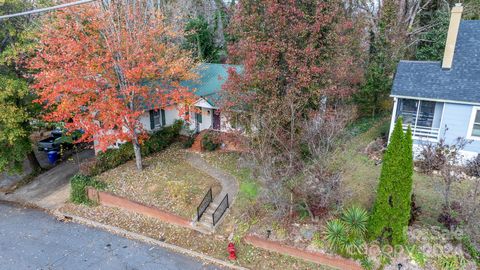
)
(316, 257)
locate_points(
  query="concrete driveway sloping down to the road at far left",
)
(50, 189)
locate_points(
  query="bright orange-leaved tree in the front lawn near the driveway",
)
(95, 67)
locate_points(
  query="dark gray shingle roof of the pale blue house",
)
(461, 83)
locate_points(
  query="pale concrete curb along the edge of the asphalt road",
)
(145, 239)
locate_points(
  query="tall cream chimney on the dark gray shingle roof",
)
(455, 19)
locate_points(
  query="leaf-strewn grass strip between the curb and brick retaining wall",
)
(215, 246)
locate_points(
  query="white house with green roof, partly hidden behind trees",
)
(207, 115)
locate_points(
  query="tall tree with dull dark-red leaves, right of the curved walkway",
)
(301, 61)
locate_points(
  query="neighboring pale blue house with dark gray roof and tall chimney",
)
(443, 98)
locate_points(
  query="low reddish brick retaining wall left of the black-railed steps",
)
(108, 199)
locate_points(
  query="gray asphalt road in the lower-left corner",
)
(32, 239)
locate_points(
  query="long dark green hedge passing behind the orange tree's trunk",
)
(158, 141)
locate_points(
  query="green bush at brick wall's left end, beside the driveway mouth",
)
(79, 183)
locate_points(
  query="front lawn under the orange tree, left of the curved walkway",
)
(167, 182)
